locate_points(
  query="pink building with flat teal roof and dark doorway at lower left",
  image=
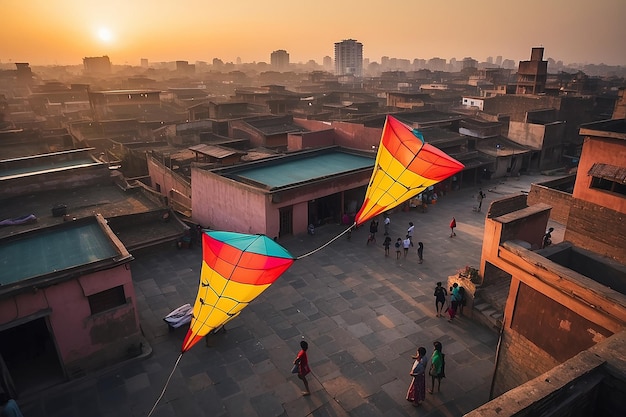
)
(67, 304)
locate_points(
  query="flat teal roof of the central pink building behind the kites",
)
(306, 169)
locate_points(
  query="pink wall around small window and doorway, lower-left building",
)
(85, 341)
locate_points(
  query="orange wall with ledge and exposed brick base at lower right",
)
(552, 314)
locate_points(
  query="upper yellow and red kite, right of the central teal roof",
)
(405, 166)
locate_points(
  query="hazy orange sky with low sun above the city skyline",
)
(47, 32)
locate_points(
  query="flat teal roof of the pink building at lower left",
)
(53, 250)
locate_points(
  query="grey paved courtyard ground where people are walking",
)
(363, 315)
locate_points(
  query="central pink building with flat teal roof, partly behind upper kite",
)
(281, 196)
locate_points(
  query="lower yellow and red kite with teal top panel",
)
(236, 268)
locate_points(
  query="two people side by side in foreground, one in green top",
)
(435, 366)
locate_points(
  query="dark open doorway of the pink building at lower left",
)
(30, 358)
